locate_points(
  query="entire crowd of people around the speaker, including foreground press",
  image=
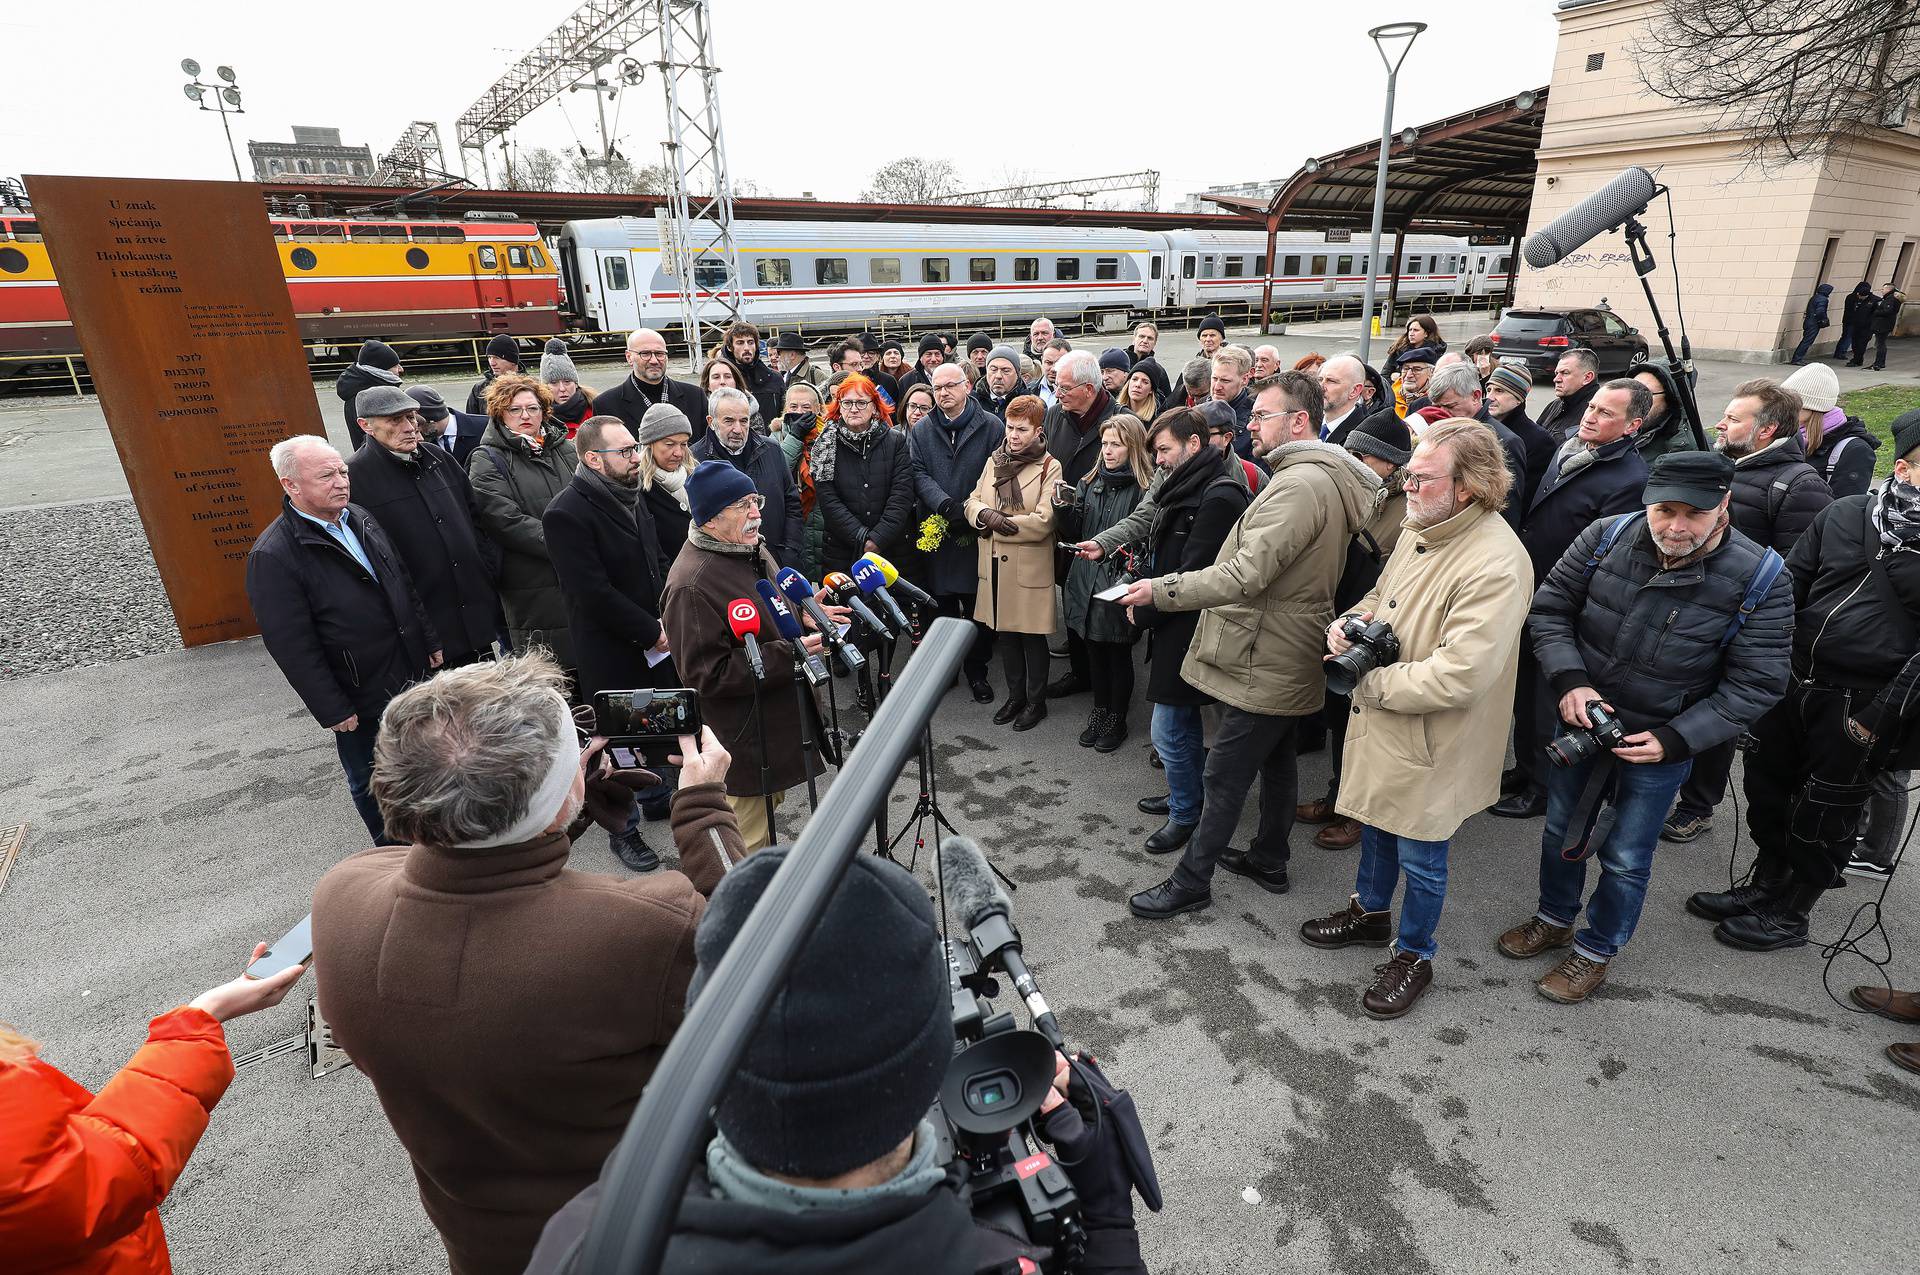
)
(1393, 564)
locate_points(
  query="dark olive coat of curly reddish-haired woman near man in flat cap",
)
(514, 489)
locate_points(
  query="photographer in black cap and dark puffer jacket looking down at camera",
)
(1679, 627)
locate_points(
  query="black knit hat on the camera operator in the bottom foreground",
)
(855, 1046)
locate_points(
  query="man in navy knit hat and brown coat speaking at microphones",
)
(725, 560)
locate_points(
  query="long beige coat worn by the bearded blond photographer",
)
(1429, 734)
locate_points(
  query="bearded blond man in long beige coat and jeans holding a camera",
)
(1429, 719)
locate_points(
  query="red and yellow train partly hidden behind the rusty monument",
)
(348, 281)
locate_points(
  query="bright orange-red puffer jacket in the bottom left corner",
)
(82, 1176)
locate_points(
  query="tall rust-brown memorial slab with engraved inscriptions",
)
(181, 308)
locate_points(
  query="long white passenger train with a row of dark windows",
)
(844, 274)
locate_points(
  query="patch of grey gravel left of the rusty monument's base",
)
(80, 589)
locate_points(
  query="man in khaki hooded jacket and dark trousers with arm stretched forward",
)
(1257, 650)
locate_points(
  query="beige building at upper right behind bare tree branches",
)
(1752, 243)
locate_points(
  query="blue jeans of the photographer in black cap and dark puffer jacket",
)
(1641, 802)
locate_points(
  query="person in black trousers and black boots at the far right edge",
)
(1848, 713)
